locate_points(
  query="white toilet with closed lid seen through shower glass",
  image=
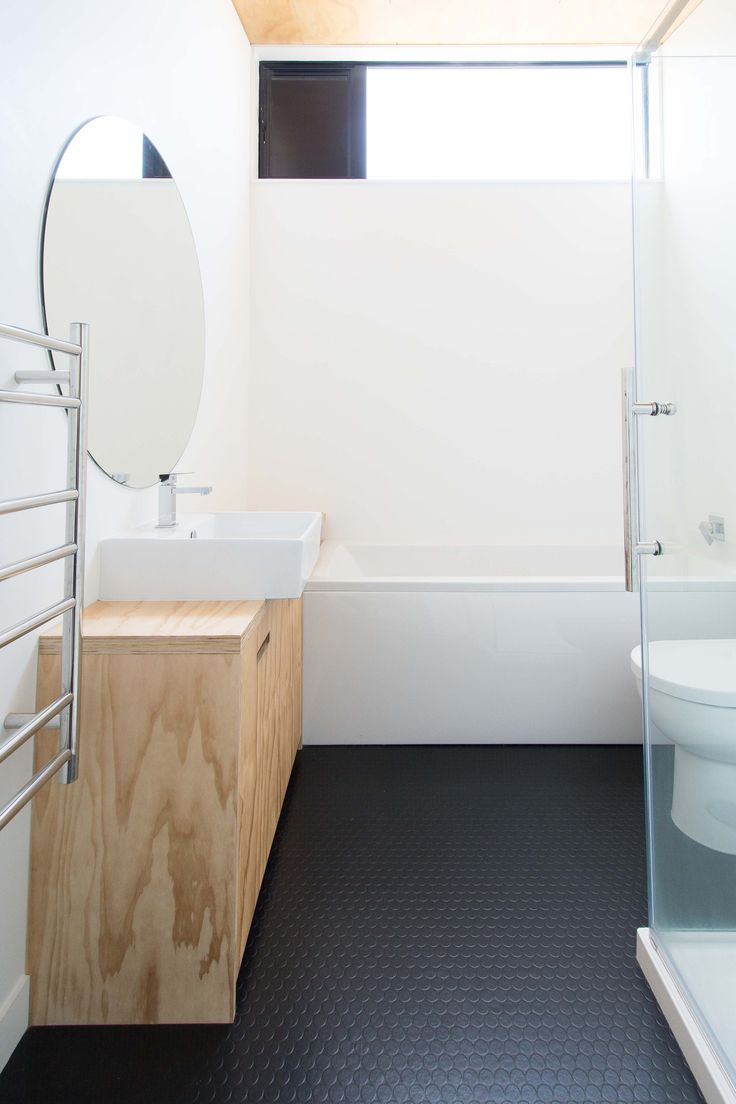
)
(692, 702)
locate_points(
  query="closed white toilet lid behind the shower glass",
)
(695, 671)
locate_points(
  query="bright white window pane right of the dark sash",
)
(498, 123)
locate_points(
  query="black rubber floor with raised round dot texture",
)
(438, 926)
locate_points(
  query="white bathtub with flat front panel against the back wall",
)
(470, 645)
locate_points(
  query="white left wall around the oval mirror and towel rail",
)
(180, 70)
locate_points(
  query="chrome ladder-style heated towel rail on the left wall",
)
(65, 710)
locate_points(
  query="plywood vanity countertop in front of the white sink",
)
(162, 627)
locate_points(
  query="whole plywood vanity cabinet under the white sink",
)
(145, 874)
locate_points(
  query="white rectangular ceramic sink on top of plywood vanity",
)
(218, 557)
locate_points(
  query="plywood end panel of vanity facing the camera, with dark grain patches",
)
(133, 887)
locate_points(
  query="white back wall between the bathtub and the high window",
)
(441, 363)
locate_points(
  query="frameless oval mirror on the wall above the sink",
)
(118, 252)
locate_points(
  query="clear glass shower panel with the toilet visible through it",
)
(687, 355)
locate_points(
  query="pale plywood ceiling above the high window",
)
(449, 23)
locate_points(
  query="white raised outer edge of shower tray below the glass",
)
(706, 1065)
